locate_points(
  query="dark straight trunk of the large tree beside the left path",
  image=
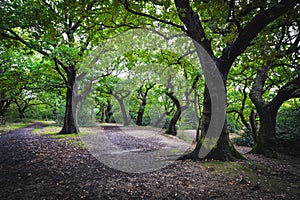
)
(70, 120)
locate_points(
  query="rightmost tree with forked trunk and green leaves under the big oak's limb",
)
(272, 66)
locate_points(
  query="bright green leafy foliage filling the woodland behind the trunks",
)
(63, 32)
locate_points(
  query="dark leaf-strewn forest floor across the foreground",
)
(37, 166)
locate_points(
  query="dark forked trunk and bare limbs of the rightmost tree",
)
(267, 111)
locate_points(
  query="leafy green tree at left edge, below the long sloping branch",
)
(24, 79)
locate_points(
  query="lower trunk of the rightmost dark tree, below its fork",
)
(266, 141)
